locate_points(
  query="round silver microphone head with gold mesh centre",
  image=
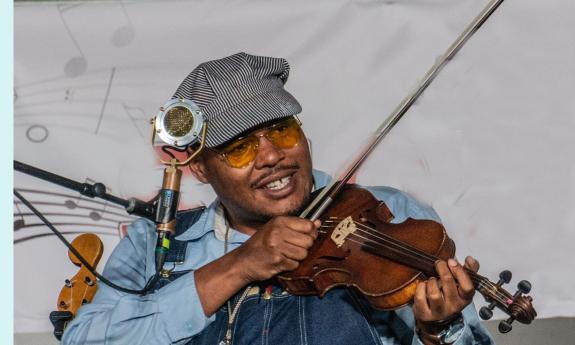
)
(179, 123)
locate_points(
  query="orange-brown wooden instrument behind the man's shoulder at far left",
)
(82, 287)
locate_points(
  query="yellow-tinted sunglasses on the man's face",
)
(240, 152)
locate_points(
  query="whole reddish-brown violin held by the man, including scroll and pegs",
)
(358, 246)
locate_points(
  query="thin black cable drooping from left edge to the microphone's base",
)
(149, 285)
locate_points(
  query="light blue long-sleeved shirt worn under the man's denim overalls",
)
(173, 314)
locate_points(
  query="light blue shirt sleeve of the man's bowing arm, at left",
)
(171, 314)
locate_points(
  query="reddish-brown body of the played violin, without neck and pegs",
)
(385, 282)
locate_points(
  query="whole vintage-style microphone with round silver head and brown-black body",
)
(180, 124)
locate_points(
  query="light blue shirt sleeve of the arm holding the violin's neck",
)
(400, 324)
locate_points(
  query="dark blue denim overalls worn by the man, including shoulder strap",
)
(277, 317)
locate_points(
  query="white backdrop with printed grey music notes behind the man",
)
(489, 144)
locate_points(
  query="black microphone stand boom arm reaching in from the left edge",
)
(132, 205)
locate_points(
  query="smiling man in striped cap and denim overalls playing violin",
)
(219, 285)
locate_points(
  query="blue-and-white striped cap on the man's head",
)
(239, 92)
